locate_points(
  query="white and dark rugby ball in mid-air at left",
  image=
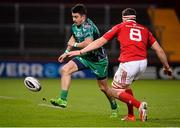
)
(32, 84)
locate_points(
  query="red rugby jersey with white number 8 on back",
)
(133, 38)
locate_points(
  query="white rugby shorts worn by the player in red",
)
(129, 71)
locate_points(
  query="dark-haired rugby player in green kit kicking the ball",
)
(84, 31)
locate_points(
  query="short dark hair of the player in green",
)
(79, 8)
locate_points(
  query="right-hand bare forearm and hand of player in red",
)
(162, 56)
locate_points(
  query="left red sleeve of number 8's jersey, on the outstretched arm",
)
(111, 33)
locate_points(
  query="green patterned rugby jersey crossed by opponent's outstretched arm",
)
(89, 30)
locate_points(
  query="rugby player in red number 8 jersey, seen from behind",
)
(134, 39)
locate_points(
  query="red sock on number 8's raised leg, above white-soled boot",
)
(127, 98)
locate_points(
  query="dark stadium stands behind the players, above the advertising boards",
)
(33, 30)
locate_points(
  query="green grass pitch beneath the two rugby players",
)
(87, 106)
